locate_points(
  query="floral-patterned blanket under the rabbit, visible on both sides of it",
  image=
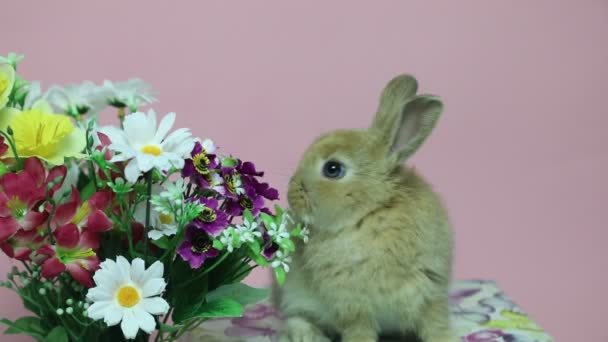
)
(481, 313)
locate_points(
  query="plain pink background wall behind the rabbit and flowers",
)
(520, 154)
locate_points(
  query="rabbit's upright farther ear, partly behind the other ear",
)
(394, 95)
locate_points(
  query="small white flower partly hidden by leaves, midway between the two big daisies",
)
(162, 219)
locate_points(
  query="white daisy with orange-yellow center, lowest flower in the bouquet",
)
(128, 294)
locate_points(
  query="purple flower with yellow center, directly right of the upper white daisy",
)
(203, 162)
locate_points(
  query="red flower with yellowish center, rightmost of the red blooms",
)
(87, 216)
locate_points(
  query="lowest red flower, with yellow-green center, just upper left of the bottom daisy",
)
(74, 252)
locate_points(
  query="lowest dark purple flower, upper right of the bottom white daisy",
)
(197, 247)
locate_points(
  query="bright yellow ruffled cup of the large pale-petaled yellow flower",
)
(39, 133)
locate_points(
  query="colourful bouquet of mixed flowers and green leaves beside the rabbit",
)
(131, 231)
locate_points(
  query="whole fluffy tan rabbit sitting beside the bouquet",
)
(379, 256)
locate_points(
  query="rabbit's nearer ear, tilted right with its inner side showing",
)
(418, 118)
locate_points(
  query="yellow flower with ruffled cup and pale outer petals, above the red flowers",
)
(41, 133)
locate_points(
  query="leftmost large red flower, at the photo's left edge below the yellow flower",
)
(22, 193)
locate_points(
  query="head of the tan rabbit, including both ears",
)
(348, 173)
